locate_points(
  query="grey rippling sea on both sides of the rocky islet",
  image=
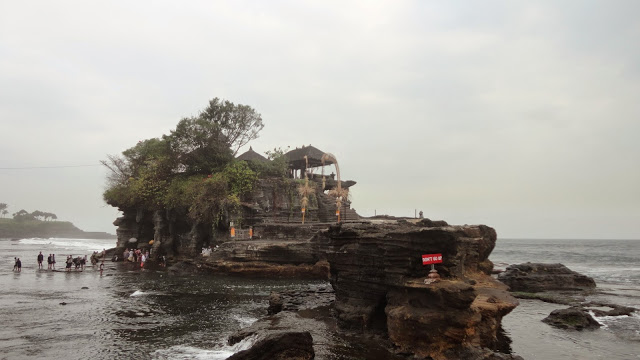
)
(127, 312)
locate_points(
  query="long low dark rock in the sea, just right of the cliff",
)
(537, 277)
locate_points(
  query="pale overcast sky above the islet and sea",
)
(523, 116)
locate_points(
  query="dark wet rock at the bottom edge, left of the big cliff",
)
(280, 346)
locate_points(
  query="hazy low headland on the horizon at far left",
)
(10, 228)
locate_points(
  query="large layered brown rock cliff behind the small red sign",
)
(378, 276)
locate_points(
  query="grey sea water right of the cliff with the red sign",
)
(614, 265)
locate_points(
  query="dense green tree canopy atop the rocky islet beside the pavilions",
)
(191, 168)
